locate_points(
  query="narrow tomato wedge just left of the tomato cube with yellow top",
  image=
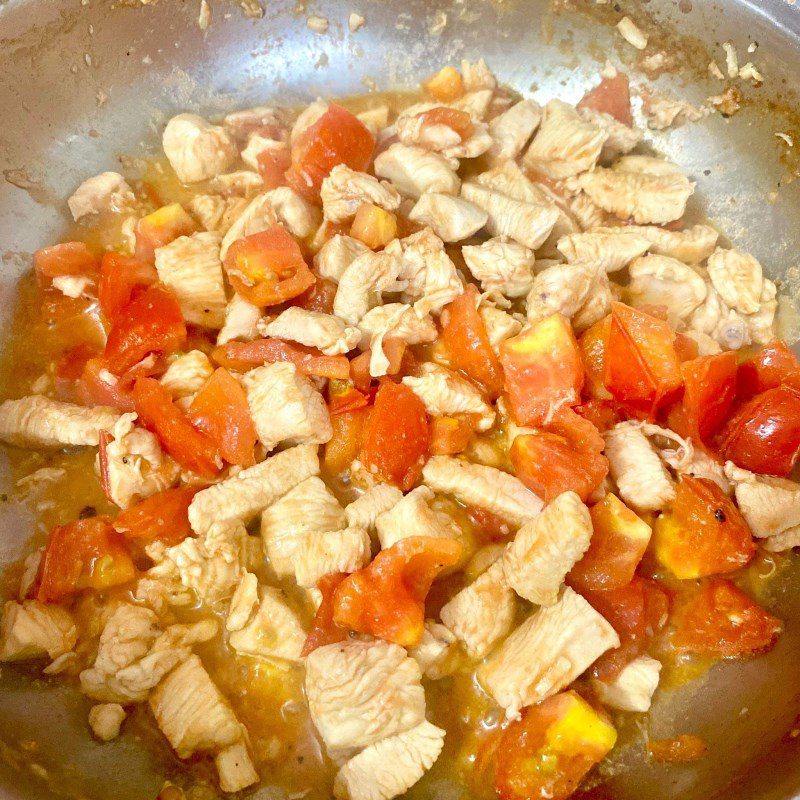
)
(467, 344)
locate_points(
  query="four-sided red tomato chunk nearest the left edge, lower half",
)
(85, 554)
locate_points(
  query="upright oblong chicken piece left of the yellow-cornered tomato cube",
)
(547, 548)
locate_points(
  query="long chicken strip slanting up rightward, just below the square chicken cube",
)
(250, 491)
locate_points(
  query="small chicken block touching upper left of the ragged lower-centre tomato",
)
(320, 553)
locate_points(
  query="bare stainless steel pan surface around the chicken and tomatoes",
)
(83, 81)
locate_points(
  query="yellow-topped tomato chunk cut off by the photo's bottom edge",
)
(547, 753)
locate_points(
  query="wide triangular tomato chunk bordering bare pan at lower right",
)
(721, 620)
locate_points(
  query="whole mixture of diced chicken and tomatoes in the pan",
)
(421, 439)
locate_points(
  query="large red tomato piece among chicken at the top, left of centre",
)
(337, 137)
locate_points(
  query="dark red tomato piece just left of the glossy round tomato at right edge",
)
(709, 390)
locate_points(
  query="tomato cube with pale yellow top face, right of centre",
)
(543, 370)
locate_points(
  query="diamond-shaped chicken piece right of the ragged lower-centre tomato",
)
(482, 613)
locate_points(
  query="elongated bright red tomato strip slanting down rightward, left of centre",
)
(191, 448)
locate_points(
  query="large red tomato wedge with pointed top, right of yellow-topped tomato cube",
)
(642, 370)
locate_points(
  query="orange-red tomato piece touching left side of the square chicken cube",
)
(220, 410)
